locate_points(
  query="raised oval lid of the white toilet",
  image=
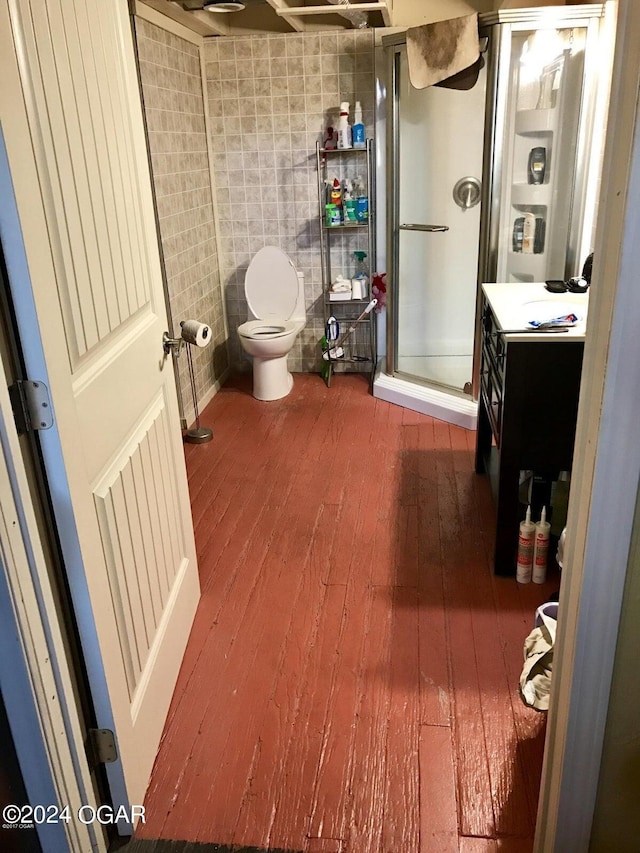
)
(271, 284)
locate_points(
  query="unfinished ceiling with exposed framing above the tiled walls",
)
(279, 16)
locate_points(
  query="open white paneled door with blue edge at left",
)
(73, 128)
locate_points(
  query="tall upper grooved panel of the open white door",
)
(91, 167)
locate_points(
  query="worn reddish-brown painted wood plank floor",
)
(350, 684)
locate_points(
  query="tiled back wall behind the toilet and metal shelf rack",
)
(270, 97)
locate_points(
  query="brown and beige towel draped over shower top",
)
(444, 51)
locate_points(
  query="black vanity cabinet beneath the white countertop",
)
(529, 387)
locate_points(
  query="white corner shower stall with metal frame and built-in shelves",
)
(457, 188)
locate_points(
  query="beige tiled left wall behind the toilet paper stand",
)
(174, 107)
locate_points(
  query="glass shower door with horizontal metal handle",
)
(438, 140)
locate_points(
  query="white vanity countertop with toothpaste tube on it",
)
(517, 303)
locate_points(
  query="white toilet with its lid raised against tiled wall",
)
(275, 295)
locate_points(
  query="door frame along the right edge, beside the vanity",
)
(605, 480)
